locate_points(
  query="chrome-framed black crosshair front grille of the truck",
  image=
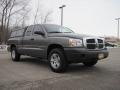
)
(93, 43)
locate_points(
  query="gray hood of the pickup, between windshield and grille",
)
(69, 35)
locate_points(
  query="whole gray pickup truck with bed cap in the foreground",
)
(58, 45)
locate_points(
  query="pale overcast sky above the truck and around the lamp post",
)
(91, 17)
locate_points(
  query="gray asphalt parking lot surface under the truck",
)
(33, 74)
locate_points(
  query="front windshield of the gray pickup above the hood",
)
(57, 29)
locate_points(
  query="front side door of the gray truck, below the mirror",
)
(39, 42)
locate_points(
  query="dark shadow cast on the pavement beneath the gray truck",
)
(71, 68)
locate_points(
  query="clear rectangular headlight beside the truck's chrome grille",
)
(75, 43)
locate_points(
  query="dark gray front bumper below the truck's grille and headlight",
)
(84, 55)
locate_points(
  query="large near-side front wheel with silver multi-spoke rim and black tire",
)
(57, 61)
